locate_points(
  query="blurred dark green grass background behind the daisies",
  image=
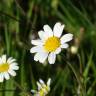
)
(20, 21)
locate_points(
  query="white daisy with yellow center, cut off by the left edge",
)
(7, 67)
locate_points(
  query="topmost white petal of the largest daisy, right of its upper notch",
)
(58, 29)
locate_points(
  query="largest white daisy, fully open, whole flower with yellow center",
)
(50, 43)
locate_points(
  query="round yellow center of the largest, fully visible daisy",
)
(51, 44)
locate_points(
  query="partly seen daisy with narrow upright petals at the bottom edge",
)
(43, 88)
